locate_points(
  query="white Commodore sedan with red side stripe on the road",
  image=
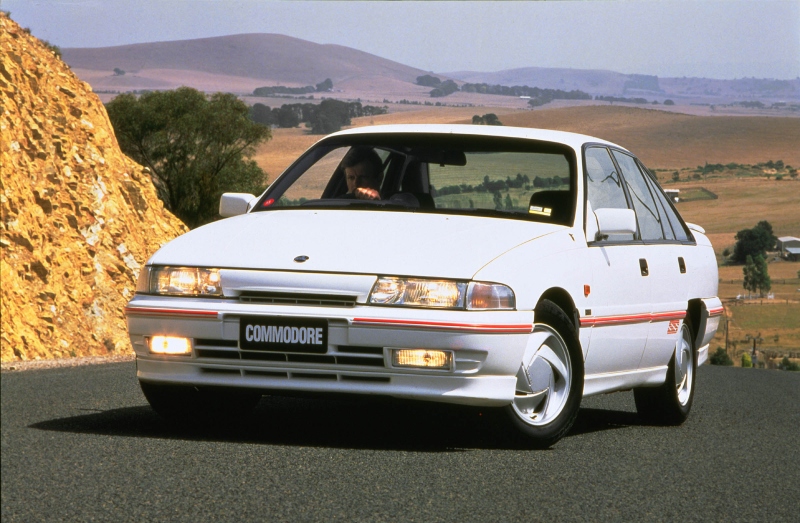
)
(494, 266)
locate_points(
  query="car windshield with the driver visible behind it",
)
(478, 175)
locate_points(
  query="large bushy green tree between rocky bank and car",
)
(195, 147)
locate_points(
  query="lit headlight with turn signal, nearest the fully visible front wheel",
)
(443, 294)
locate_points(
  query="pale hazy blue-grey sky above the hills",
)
(718, 39)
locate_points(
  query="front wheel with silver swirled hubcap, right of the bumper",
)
(549, 379)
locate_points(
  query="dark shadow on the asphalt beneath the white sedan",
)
(377, 424)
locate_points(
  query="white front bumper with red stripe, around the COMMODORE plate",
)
(487, 348)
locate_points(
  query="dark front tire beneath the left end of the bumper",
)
(185, 403)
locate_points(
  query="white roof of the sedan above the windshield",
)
(574, 140)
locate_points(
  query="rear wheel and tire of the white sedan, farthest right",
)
(670, 403)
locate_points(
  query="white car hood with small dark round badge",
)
(352, 241)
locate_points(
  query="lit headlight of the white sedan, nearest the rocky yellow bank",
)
(180, 281)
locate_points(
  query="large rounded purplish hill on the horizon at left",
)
(271, 58)
